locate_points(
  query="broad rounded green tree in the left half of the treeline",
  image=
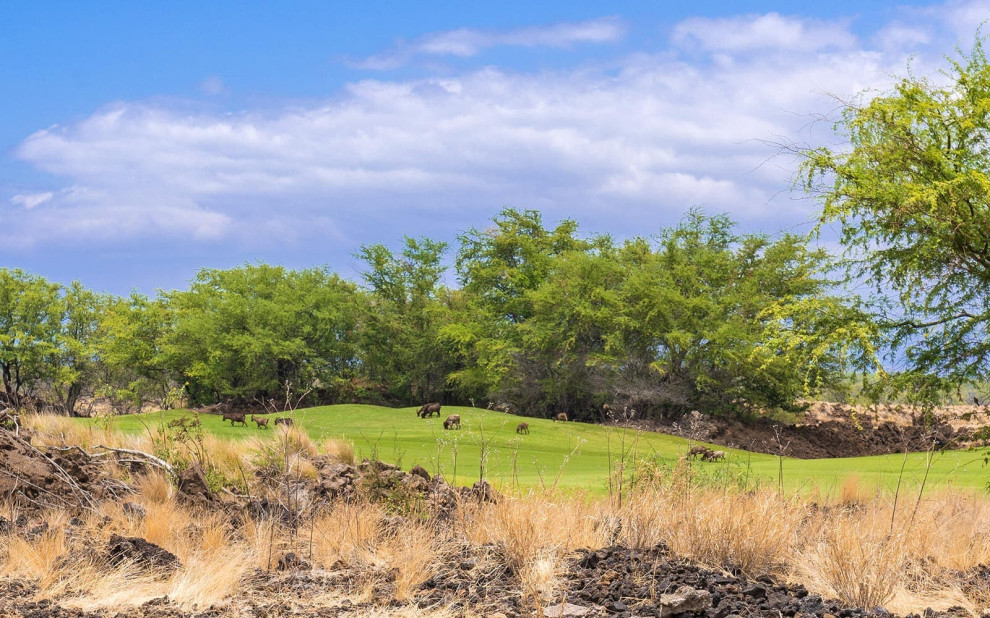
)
(246, 333)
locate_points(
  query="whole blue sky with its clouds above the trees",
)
(140, 142)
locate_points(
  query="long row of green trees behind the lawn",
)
(699, 317)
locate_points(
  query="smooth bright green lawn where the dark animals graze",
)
(576, 456)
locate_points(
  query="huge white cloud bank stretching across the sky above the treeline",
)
(631, 146)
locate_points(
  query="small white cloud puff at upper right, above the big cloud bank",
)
(763, 32)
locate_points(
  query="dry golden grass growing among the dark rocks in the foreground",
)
(853, 547)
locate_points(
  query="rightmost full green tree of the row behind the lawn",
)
(708, 321)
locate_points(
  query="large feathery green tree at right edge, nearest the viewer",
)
(912, 197)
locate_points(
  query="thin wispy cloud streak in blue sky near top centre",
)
(465, 42)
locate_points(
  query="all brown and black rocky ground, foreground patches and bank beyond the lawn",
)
(613, 581)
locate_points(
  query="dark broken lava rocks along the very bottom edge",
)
(611, 582)
